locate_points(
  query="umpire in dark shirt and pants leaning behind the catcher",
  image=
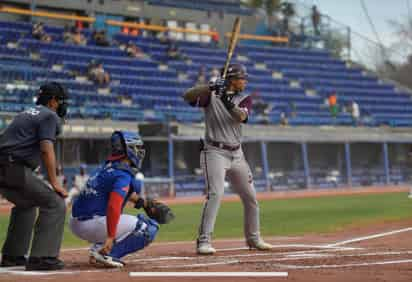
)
(27, 140)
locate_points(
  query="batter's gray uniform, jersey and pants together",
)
(223, 157)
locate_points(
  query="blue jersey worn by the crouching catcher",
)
(111, 177)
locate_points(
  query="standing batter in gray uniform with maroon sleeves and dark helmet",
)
(225, 110)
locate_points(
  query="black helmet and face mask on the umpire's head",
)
(50, 90)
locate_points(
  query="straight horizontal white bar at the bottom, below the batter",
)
(208, 274)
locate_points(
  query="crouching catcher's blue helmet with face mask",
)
(130, 144)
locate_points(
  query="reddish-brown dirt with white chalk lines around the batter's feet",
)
(379, 252)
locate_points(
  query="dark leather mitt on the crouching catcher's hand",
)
(156, 210)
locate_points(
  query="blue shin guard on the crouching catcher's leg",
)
(144, 233)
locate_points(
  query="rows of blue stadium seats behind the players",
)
(292, 80)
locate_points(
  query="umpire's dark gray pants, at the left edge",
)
(31, 196)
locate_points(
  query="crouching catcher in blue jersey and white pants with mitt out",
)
(97, 212)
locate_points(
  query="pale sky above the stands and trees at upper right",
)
(350, 12)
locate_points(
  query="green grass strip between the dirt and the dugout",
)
(278, 217)
